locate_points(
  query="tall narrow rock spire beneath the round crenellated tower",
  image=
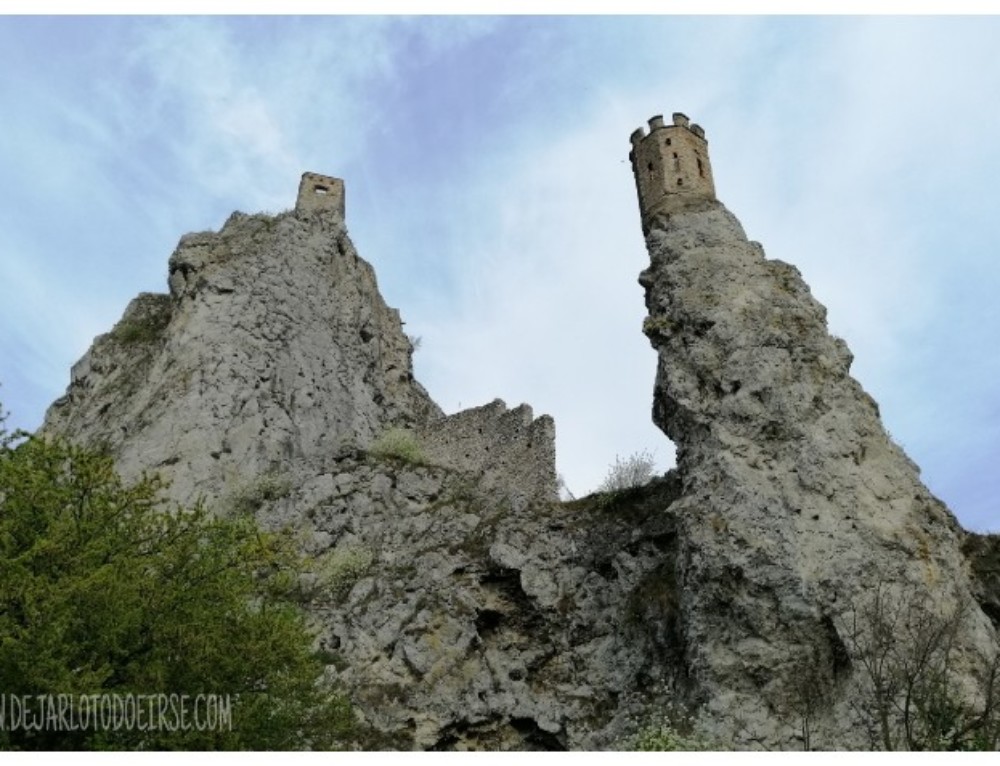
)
(796, 506)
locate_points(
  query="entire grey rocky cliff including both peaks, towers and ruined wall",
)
(462, 605)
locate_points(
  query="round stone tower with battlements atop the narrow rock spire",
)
(671, 167)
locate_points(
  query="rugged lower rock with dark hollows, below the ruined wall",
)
(459, 619)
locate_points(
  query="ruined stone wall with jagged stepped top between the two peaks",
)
(508, 449)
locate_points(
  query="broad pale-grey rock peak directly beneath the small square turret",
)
(274, 344)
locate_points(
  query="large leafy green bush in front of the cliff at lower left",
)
(103, 590)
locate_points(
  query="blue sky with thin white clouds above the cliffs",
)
(488, 183)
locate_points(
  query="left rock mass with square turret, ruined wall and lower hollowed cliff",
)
(460, 605)
